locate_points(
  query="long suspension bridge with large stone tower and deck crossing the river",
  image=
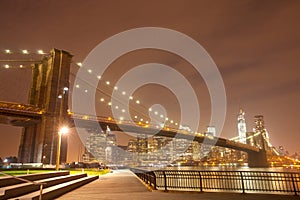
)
(48, 110)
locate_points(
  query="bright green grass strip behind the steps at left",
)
(72, 171)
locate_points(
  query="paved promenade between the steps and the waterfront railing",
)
(123, 185)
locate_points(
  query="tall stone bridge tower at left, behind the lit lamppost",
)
(49, 91)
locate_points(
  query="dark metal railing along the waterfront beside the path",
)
(220, 181)
